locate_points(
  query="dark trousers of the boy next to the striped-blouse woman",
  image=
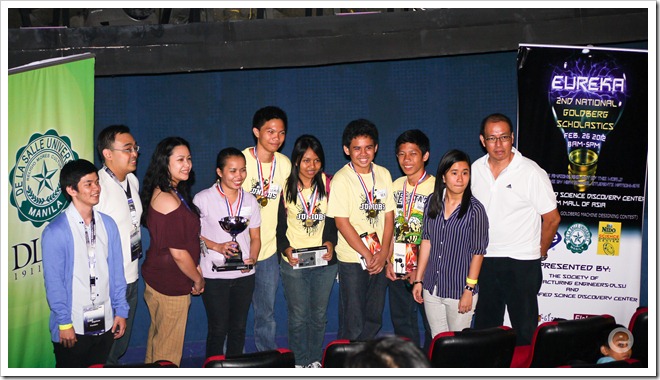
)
(403, 310)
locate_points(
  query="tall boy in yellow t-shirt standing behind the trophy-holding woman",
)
(267, 170)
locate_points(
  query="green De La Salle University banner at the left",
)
(51, 122)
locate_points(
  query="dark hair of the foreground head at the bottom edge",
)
(389, 352)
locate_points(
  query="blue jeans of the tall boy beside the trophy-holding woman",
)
(267, 276)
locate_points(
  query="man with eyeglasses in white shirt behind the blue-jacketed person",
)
(120, 199)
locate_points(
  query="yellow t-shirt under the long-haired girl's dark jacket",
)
(299, 234)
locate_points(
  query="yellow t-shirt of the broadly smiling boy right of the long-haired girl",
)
(348, 200)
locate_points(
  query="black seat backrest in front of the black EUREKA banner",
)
(561, 342)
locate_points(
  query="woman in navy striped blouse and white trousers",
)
(454, 240)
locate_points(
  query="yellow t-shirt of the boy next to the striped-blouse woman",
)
(424, 189)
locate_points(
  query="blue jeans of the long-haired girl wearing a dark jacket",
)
(307, 293)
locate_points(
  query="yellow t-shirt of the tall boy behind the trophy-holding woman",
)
(269, 212)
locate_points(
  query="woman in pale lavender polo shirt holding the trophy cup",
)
(228, 290)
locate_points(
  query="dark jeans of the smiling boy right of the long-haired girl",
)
(362, 299)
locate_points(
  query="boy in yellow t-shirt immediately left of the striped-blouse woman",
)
(411, 191)
